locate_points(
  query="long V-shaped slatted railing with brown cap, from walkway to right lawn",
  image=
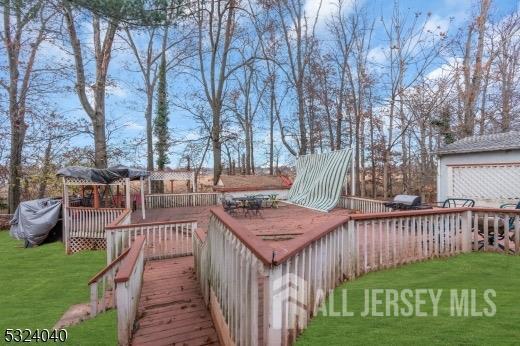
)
(291, 286)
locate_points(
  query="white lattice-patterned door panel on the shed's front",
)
(491, 182)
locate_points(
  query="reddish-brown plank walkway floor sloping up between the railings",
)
(171, 307)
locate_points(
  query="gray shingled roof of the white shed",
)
(492, 142)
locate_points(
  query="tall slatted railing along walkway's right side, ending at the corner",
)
(231, 276)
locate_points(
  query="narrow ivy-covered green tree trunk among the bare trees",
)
(161, 119)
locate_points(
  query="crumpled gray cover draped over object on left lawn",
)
(33, 220)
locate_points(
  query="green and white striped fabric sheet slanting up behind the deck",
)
(319, 179)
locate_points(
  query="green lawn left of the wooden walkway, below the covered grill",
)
(38, 285)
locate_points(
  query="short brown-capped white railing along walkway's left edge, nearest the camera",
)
(128, 283)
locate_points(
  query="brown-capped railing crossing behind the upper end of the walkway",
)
(163, 239)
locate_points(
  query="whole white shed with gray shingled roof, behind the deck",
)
(484, 168)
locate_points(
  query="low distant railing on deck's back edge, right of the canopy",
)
(181, 200)
